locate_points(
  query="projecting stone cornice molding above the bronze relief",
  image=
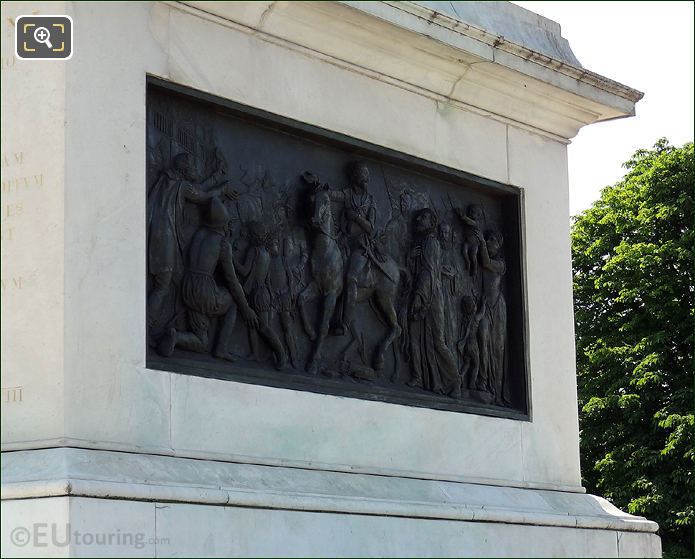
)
(438, 56)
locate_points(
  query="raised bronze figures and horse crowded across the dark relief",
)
(299, 263)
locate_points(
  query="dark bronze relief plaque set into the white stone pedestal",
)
(286, 255)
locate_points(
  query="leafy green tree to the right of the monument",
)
(633, 288)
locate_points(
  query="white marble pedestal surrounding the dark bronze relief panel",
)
(155, 463)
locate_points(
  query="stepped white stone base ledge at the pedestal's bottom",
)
(77, 502)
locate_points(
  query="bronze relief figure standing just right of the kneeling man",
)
(256, 268)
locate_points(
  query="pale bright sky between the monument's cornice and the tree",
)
(645, 45)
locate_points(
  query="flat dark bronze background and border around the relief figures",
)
(261, 147)
